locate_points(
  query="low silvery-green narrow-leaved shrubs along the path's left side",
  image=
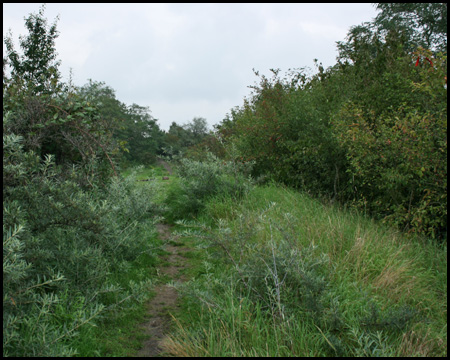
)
(60, 245)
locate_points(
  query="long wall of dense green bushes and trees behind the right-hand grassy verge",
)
(370, 131)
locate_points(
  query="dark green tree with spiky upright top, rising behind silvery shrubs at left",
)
(52, 117)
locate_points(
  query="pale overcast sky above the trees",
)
(189, 60)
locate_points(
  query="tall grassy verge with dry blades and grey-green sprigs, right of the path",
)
(281, 274)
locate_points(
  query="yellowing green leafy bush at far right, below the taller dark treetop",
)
(397, 159)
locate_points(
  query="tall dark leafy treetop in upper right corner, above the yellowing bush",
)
(377, 57)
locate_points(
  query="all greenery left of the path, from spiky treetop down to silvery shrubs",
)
(69, 227)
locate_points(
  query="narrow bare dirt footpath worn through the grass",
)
(166, 297)
